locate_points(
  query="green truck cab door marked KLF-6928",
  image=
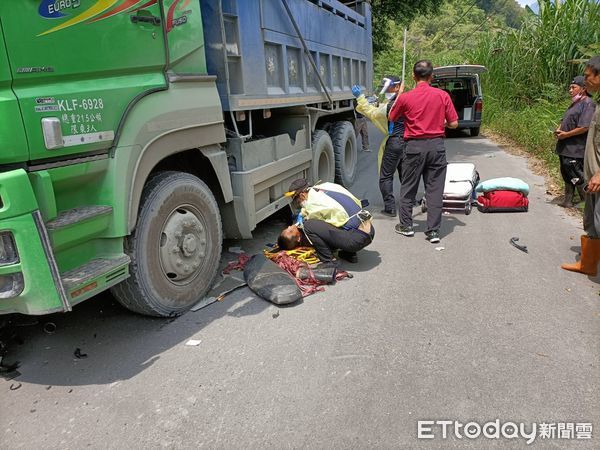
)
(77, 65)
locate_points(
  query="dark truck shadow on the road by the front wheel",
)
(118, 343)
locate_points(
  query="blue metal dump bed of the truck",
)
(259, 60)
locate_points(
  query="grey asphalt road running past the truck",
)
(478, 331)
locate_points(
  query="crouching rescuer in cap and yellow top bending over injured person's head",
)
(328, 218)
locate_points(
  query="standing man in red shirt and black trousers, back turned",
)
(427, 111)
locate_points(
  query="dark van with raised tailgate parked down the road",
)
(464, 86)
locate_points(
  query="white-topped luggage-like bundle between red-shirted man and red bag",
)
(459, 188)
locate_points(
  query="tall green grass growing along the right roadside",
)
(530, 69)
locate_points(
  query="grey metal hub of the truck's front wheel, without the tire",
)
(182, 245)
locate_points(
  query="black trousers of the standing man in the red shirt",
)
(423, 158)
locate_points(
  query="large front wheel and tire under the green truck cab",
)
(175, 248)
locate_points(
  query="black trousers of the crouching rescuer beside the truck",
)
(326, 238)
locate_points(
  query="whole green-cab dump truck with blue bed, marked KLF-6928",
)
(135, 135)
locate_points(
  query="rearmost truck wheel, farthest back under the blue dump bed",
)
(343, 137)
